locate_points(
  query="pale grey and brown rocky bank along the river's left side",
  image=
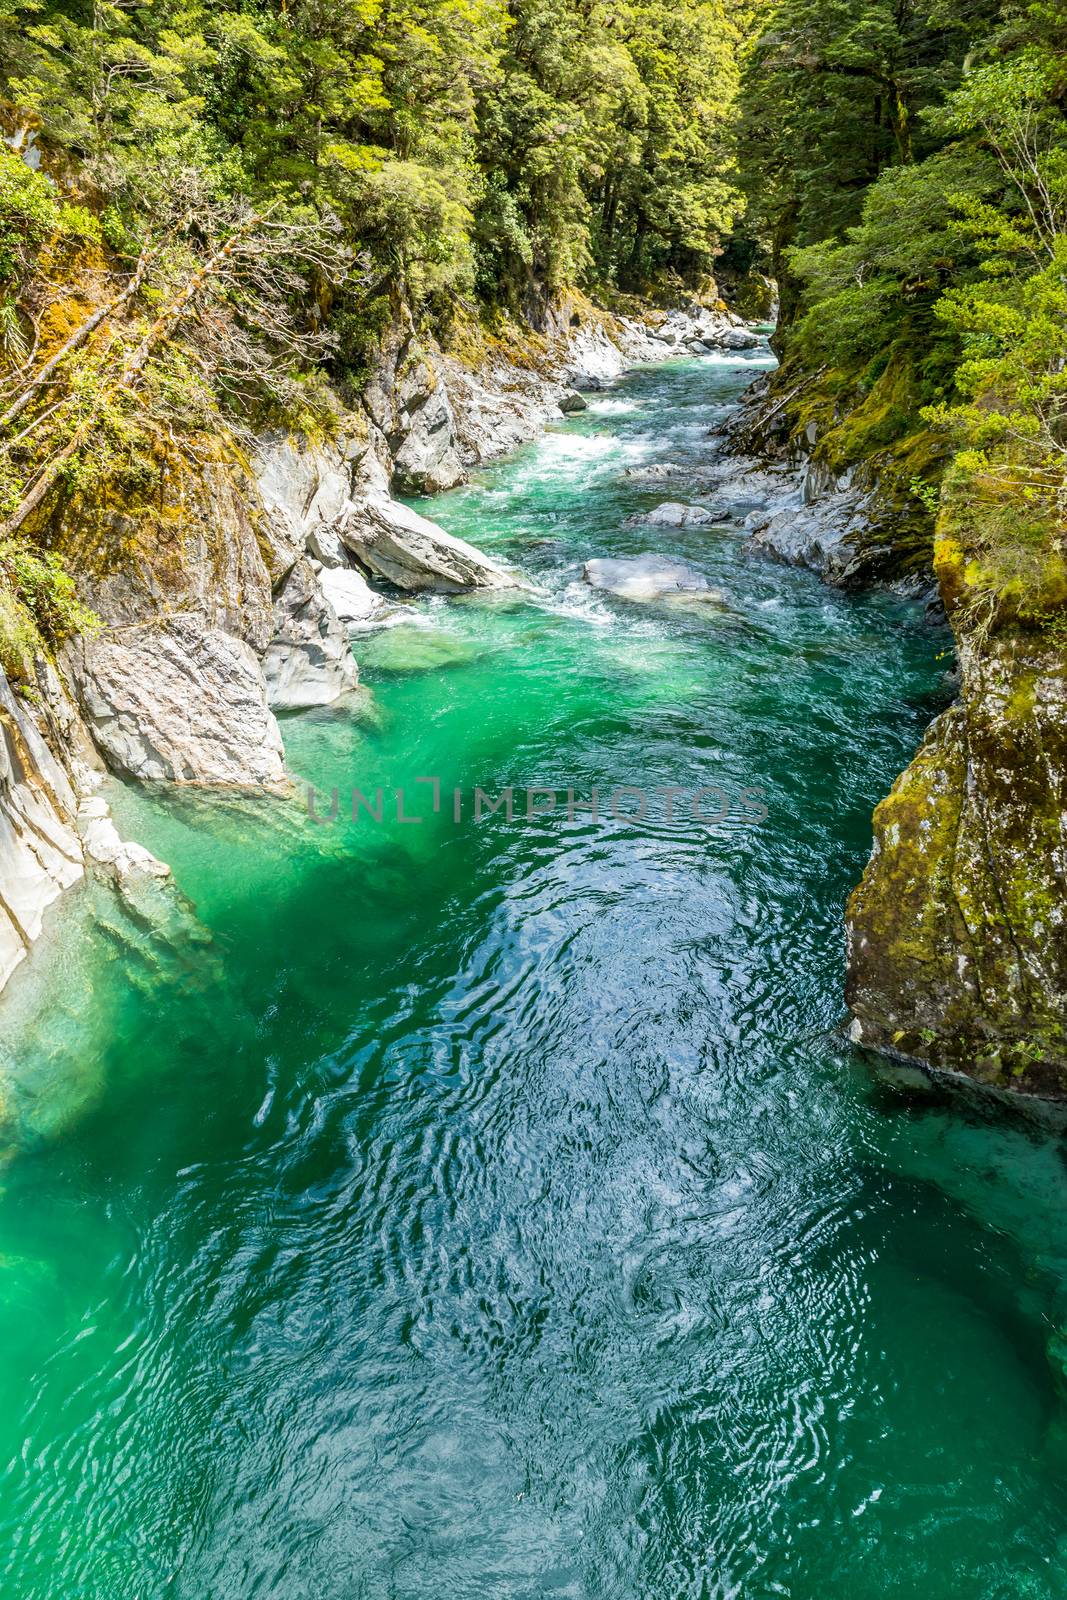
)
(239, 591)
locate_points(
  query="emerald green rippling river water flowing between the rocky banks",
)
(490, 1210)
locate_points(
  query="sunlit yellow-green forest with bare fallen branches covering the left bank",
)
(217, 209)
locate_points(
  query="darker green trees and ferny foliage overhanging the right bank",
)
(908, 169)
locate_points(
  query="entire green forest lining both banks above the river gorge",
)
(217, 209)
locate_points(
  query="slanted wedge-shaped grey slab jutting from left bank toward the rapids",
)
(394, 543)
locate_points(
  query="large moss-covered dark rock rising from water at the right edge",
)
(957, 937)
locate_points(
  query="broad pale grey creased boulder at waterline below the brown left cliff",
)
(180, 702)
